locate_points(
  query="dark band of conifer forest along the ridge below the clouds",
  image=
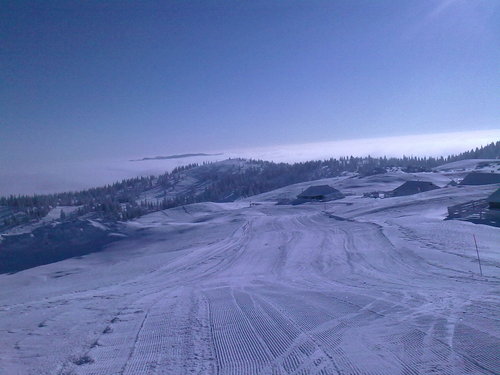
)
(120, 200)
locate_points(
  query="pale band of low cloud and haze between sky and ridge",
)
(49, 177)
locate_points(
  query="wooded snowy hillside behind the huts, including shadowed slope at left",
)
(32, 224)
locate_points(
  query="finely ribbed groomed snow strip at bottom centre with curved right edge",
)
(251, 337)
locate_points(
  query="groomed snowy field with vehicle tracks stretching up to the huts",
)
(355, 286)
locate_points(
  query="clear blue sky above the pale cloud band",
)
(91, 79)
